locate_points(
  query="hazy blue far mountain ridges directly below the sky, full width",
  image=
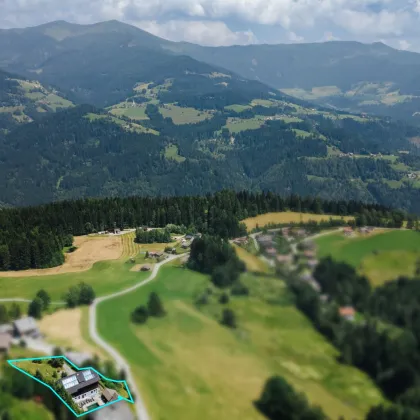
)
(100, 63)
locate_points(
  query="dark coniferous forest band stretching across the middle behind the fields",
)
(33, 237)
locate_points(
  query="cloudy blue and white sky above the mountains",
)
(227, 22)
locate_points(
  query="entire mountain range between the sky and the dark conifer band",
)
(142, 115)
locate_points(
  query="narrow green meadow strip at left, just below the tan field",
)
(105, 277)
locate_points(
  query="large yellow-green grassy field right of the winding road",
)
(187, 359)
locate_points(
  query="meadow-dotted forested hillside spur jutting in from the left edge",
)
(22, 100)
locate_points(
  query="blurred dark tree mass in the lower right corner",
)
(384, 342)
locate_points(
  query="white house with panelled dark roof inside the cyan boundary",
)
(82, 385)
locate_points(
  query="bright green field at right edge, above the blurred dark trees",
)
(381, 257)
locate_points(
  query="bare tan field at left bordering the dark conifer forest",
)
(90, 250)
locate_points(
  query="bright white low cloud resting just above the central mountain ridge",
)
(199, 32)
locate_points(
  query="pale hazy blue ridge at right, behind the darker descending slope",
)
(348, 75)
